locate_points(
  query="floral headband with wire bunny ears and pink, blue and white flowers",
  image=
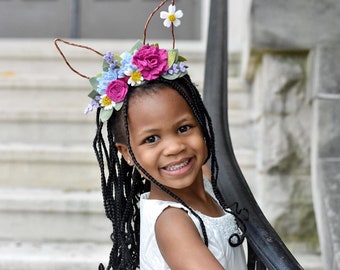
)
(142, 63)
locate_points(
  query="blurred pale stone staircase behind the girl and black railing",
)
(51, 213)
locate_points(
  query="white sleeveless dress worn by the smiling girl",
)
(218, 230)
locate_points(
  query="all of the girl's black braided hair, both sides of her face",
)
(122, 184)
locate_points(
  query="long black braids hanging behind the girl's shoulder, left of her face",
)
(121, 187)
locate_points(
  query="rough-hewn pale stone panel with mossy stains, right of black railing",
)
(282, 123)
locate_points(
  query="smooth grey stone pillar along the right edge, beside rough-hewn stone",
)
(325, 96)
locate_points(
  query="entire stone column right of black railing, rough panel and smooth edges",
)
(291, 121)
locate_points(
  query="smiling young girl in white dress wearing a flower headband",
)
(164, 213)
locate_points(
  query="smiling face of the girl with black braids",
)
(166, 138)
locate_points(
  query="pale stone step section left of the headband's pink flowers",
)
(34, 92)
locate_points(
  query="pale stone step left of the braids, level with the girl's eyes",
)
(45, 128)
